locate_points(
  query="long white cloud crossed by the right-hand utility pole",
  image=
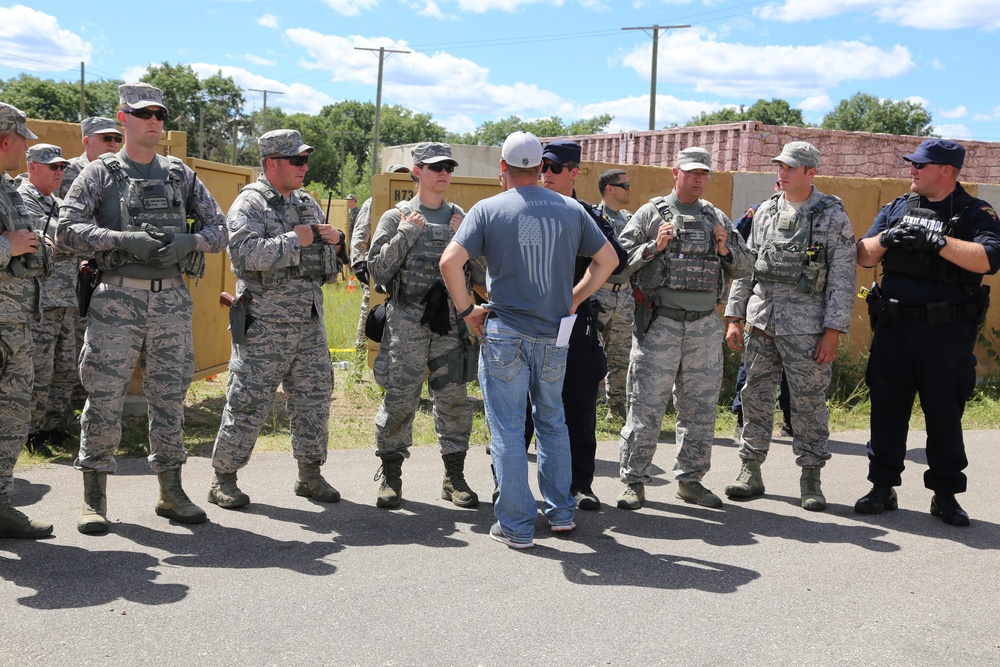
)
(695, 57)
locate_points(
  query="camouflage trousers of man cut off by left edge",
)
(15, 397)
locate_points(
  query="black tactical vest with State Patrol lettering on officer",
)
(926, 264)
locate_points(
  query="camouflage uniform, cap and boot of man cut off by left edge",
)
(20, 286)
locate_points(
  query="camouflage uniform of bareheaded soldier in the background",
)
(615, 320)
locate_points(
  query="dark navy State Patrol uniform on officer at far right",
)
(926, 316)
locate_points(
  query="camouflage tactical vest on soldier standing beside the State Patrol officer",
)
(793, 258)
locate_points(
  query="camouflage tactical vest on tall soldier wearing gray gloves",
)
(150, 205)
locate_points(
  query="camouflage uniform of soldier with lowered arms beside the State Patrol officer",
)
(784, 323)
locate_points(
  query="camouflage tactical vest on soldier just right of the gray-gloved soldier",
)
(318, 260)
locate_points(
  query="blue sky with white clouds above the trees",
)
(477, 60)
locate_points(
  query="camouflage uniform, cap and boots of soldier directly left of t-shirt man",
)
(404, 259)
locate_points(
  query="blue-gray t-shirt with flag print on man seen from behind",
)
(530, 238)
